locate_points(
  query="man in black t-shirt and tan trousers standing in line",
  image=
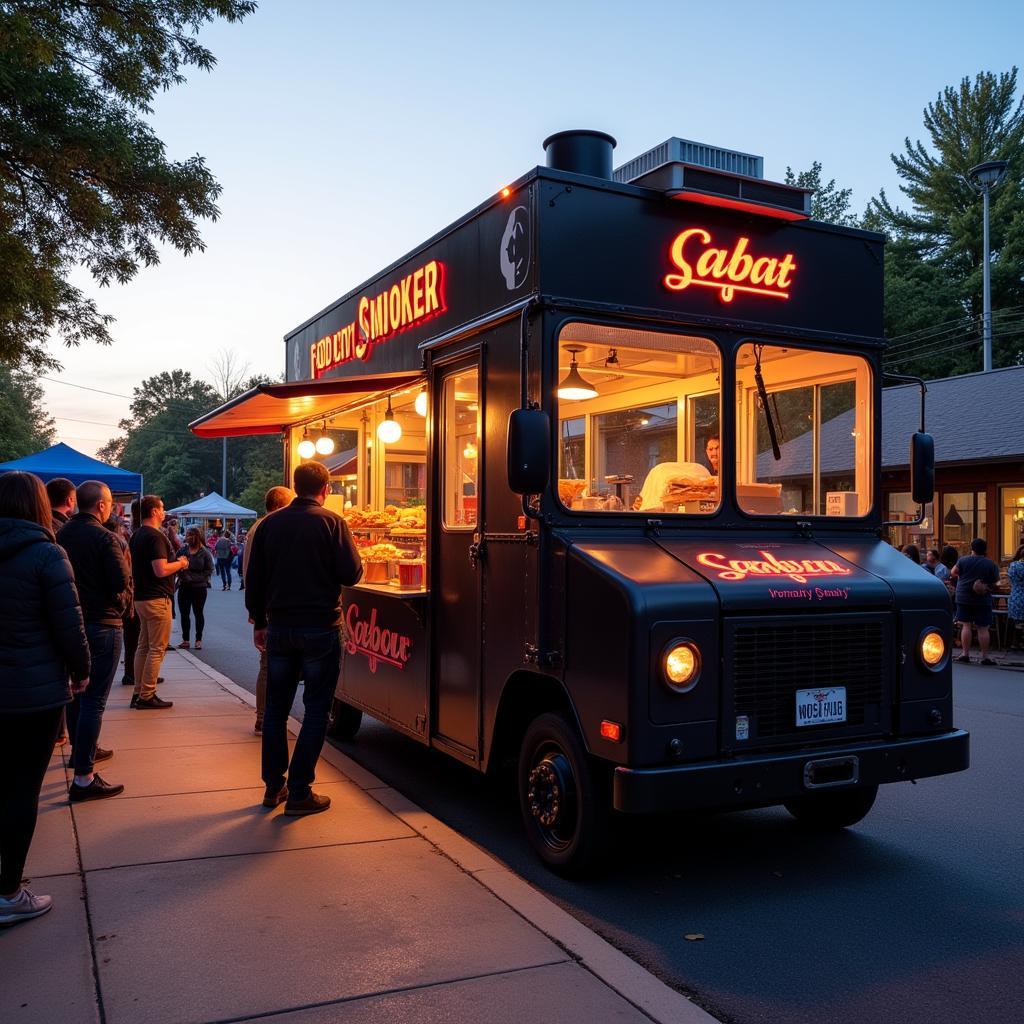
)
(154, 566)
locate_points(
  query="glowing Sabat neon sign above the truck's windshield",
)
(730, 272)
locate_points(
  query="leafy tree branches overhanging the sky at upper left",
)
(83, 179)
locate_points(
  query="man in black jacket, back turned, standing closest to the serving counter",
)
(302, 558)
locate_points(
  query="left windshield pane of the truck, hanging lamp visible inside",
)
(638, 421)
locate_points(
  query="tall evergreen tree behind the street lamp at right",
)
(936, 246)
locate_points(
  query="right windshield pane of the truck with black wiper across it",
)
(804, 433)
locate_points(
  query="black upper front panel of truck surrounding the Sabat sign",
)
(604, 245)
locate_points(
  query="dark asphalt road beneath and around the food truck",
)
(914, 917)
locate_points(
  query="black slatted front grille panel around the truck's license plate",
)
(767, 661)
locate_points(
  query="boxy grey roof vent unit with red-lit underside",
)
(699, 174)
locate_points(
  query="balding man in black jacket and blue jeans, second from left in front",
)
(104, 582)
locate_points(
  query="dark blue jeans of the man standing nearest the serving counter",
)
(316, 655)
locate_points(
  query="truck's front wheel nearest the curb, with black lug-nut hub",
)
(565, 809)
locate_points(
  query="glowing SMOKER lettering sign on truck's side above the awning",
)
(414, 301)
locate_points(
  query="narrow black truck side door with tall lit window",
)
(456, 576)
